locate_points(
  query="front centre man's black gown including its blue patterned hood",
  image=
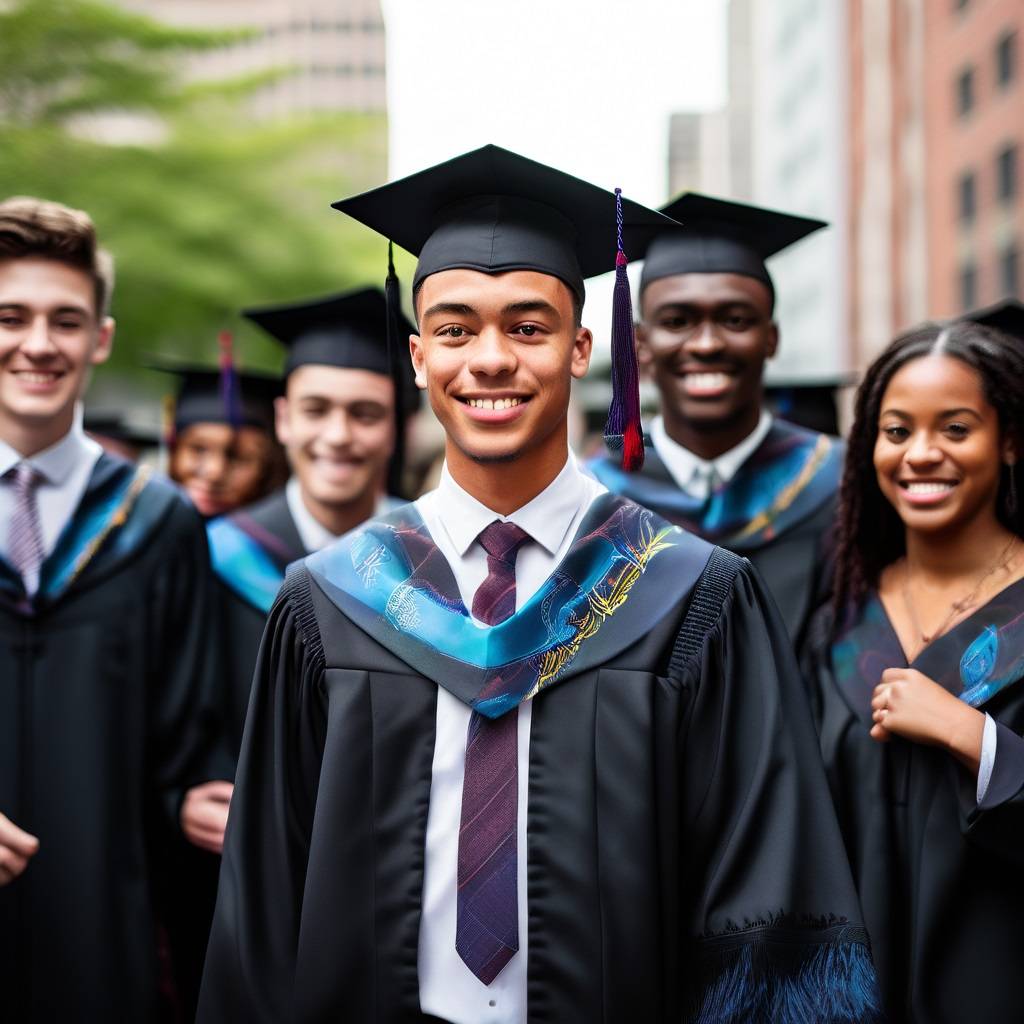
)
(684, 857)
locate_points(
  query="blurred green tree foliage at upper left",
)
(205, 208)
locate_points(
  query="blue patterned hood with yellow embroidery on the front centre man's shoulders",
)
(392, 580)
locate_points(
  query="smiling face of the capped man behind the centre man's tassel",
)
(705, 338)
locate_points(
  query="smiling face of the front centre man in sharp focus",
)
(497, 355)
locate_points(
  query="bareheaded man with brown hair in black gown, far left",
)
(105, 601)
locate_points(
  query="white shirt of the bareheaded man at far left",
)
(65, 468)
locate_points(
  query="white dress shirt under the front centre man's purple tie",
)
(448, 989)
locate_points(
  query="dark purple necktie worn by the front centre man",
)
(488, 924)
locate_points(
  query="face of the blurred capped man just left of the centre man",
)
(337, 426)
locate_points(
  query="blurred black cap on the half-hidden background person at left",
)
(201, 397)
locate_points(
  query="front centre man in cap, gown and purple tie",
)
(506, 758)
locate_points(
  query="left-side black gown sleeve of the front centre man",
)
(251, 957)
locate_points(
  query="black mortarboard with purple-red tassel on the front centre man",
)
(494, 211)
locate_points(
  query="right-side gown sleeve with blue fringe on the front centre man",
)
(776, 931)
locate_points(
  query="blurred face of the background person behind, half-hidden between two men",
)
(222, 468)
